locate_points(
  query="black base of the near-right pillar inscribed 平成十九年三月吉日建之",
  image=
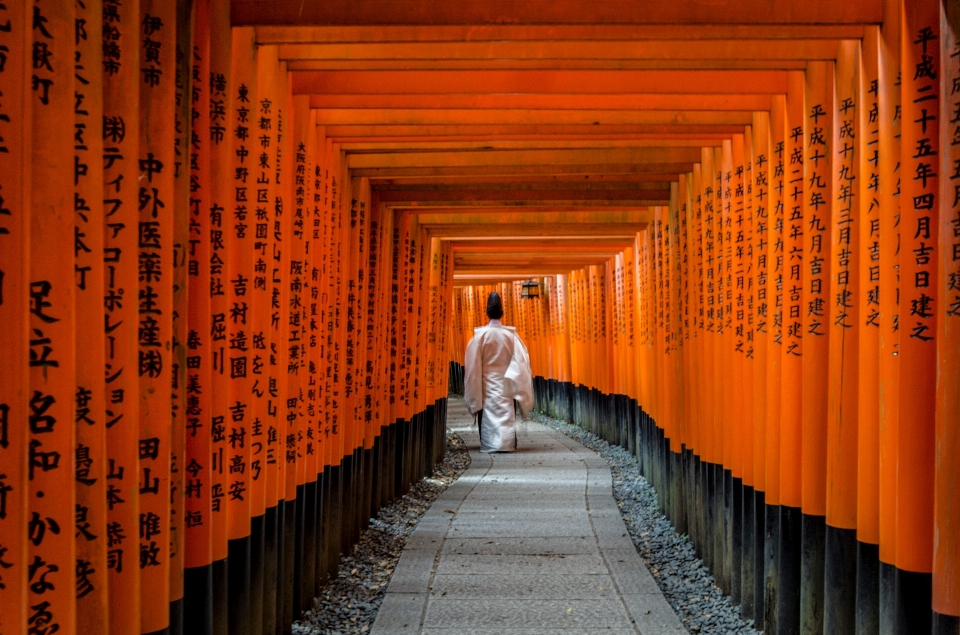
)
(840, 581)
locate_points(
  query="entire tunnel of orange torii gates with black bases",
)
(741, 216)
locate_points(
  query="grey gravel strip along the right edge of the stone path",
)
(680, 574)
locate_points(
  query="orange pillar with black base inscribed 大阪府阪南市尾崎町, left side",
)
(297, 371)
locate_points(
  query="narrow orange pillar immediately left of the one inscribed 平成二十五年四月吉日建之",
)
(889, 171)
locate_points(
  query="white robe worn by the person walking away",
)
(497, 371)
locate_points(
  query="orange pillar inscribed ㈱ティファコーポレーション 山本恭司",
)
(121, 99)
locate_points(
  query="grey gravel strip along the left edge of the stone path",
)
(349, 604)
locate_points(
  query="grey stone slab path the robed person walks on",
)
(524, 544)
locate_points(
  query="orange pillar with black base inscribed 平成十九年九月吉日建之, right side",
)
(817, 217)
